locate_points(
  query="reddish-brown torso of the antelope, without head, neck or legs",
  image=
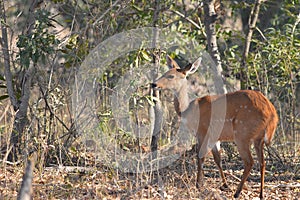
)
(249, 115)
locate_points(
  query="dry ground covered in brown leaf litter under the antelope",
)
(177, 181)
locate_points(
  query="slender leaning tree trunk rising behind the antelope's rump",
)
(251, 26)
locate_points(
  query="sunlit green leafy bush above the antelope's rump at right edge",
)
(277, 59)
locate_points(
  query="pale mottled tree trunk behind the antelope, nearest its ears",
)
(210, 22)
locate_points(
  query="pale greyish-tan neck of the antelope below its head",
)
(181, 99)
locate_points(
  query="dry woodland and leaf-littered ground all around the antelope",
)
(45, 45)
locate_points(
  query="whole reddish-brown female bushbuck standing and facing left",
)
(249, 117)
